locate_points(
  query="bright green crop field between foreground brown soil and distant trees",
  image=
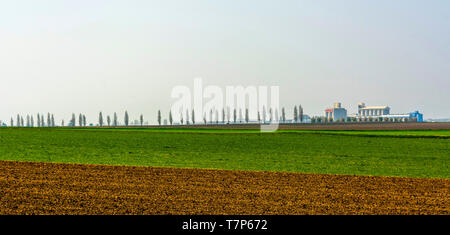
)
(382, 153)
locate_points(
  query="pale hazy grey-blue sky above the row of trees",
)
(88, 56)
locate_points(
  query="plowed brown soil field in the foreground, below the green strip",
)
(48, 188)
